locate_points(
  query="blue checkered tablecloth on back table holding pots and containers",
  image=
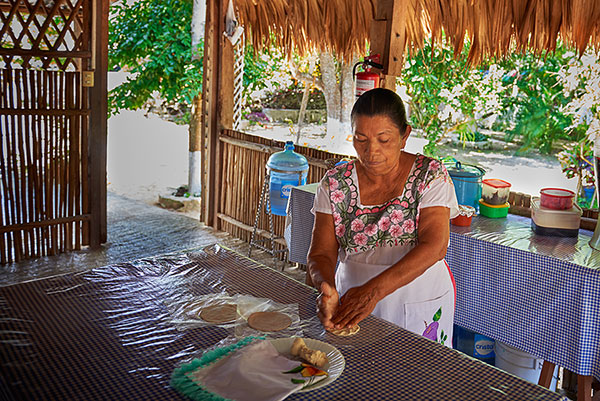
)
(538, 294)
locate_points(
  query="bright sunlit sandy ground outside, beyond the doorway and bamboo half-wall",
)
(148, 156)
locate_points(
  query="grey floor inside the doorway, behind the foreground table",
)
(136, 230)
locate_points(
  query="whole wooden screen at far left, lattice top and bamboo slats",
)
(44, 115)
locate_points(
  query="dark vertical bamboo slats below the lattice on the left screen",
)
(43, 208)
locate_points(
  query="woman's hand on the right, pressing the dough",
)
(356, 304)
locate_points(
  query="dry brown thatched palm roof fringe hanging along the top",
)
(494, 27)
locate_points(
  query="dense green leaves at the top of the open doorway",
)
(152, 40)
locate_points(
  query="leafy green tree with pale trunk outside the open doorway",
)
(156, 41)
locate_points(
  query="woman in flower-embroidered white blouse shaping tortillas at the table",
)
(385, 216)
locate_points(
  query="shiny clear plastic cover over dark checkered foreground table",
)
(109, 333)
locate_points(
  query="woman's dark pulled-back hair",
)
(381, 102)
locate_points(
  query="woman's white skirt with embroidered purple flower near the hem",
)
(424, 306)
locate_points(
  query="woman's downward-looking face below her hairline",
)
(378, 143)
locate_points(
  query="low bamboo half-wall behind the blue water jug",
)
(243, 160)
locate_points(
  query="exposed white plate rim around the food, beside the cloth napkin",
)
(334, 368)
